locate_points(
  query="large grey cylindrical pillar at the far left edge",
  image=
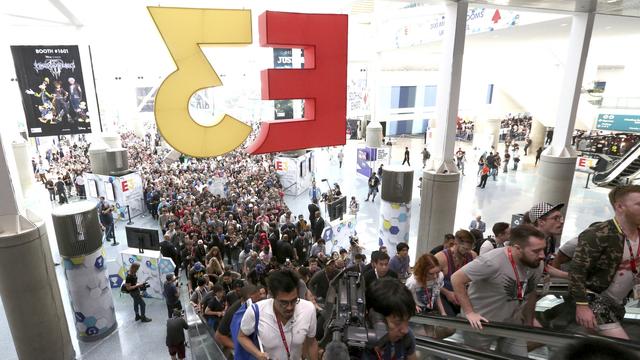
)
(28, 283)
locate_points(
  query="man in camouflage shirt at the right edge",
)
(606, 264)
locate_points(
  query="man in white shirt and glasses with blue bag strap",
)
(287, 324)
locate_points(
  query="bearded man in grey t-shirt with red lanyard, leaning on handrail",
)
(502, 286)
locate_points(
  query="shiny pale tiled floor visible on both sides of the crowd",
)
(511, 193)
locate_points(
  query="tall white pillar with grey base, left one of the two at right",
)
(439, 193)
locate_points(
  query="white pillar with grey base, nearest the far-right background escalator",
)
(558, 161)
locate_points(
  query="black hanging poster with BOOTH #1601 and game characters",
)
(52, 87)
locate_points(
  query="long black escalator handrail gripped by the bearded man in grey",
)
(545, 336)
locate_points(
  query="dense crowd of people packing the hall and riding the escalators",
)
(260, 275)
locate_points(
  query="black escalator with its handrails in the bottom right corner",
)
(548, 340)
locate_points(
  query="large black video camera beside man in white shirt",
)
(346, 317)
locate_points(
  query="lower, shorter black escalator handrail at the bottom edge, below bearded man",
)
(460, 351)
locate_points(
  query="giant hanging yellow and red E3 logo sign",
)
(322, 83)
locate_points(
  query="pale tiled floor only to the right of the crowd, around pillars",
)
(511, 193)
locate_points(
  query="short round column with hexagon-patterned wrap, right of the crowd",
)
(395, 207)
